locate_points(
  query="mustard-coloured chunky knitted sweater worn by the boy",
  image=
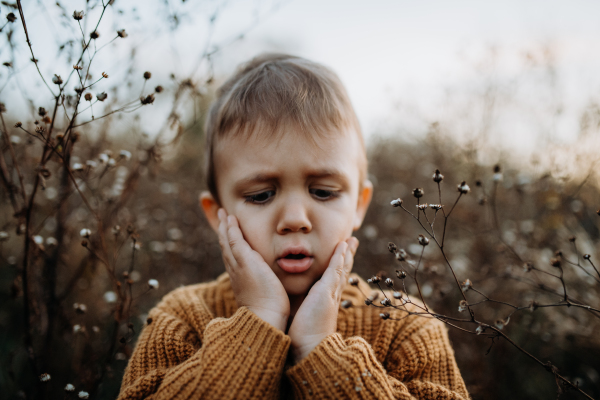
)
(198, 344)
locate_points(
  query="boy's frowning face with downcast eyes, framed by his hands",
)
(295, 199)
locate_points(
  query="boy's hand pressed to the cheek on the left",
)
(254, 284)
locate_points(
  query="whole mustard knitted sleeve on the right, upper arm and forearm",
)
(421, 367)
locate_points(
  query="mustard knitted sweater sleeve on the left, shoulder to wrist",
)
(237, 357)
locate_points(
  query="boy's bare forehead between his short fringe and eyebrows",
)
(288, 151)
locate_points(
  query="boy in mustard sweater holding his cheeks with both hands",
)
(287, 179)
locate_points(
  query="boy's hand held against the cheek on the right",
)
(317, 316)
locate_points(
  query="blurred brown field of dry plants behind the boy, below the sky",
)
(89, 294)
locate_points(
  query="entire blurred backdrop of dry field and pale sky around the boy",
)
(462, 86)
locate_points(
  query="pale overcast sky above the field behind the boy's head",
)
(404, 63)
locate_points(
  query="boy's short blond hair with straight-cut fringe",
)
(276, 89)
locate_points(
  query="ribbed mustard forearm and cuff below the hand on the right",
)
(337, 369)
